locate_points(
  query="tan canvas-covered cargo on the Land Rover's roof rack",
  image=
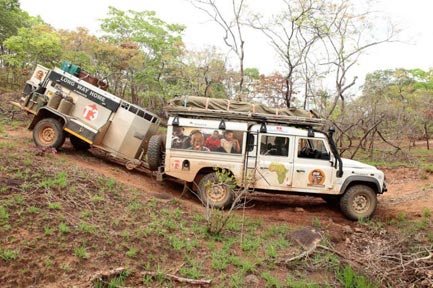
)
(196, 106)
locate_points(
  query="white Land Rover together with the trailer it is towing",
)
(217, 147)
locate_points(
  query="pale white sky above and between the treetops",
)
(413, 17)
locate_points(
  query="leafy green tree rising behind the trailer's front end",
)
(151, 49)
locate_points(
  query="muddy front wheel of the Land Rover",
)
(359, 202)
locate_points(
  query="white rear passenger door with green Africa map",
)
(275, 162)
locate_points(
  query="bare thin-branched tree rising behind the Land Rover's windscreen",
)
(350, 32)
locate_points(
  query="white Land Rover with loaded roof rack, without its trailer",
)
(261, 149)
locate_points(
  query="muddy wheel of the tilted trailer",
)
(48, 133)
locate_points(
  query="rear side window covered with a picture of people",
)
(208, 140)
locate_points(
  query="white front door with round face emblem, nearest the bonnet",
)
(312, 169)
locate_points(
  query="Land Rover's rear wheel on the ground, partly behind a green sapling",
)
(214, 192)
